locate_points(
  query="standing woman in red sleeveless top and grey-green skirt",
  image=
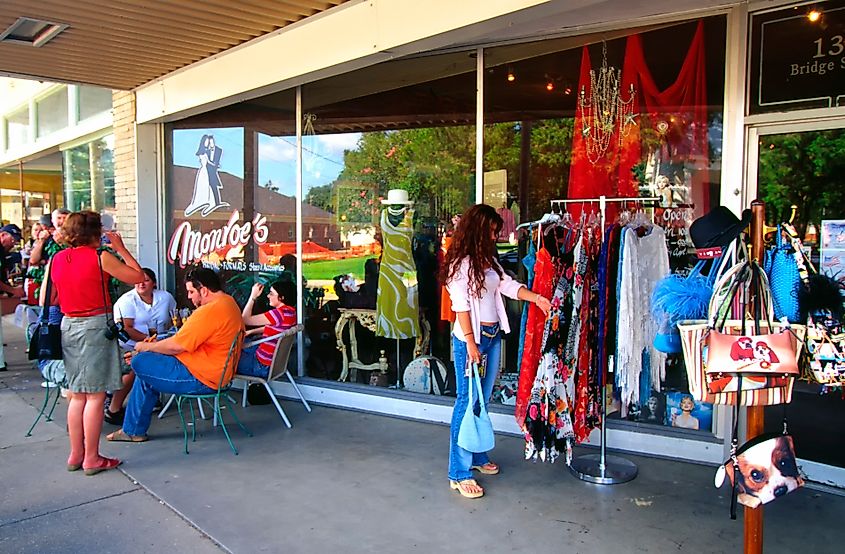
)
(81, 274)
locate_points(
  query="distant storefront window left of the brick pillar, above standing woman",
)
(89, 175)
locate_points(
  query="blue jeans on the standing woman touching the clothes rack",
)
(460, 460)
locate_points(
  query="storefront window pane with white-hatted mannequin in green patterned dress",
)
(384, 173)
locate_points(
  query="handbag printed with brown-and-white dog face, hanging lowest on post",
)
(761, 470)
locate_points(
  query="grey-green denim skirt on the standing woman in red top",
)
(92, 362)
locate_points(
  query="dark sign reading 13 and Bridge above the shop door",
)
(798, 62)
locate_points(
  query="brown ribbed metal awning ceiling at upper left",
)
(126, 43)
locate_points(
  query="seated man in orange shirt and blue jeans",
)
(189, 362)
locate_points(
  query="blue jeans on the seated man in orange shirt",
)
(154, 374)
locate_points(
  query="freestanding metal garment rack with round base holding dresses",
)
(601, 468)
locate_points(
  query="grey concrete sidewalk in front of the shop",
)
(352, 482)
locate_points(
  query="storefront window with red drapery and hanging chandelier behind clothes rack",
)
(553, 131)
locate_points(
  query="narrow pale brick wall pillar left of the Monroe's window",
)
(125, 185)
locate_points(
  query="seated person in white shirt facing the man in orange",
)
(145, 312)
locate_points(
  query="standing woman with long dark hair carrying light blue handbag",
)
(476, 283)
